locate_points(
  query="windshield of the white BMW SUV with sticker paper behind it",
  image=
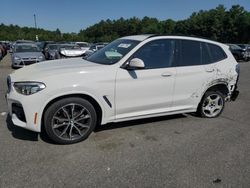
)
(113, 52)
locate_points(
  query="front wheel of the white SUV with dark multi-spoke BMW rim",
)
(70, 120)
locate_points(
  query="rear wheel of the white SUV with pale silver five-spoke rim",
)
(212, 104)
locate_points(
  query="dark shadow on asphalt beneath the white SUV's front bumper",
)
(20, 133)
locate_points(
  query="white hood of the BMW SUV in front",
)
(39, 71)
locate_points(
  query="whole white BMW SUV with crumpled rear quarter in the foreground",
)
(133, 77)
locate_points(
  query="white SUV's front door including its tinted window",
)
(149, 90)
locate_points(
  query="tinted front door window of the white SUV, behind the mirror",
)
(157, 53)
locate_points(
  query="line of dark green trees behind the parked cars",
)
(220, 24)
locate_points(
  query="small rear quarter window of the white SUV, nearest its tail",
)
(216, 53)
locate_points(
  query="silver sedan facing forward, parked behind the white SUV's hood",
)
(25, 54)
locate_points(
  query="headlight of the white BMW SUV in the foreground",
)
(28, 88)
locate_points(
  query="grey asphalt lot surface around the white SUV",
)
(173, 151)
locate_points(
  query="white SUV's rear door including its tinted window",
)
(190, 75)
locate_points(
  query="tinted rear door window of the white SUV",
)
(189, 53)
